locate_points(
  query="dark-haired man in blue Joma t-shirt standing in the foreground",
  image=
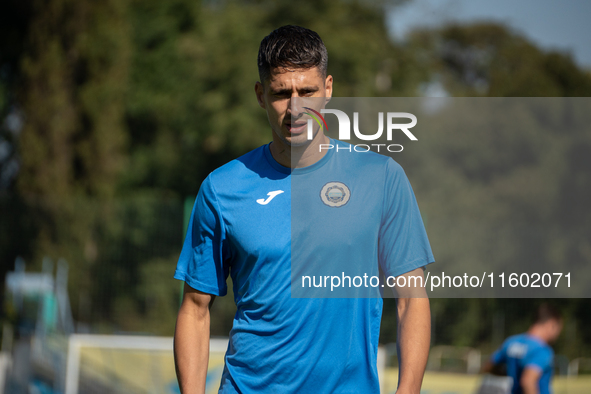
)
(242, 225)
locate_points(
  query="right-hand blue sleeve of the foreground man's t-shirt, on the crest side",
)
(403, 242)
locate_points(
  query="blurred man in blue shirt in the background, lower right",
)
(528, 359)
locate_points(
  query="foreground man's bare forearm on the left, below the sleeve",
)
(191, 341)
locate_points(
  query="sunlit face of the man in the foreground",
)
(275, 97)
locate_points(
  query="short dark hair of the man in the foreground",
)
(292, 47)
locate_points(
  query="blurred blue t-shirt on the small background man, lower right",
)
(525, 351)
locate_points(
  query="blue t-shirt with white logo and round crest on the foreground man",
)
(241, 226)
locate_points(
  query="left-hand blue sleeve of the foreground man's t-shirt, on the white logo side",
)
(202, 261)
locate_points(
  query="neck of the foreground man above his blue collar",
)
(298, 156)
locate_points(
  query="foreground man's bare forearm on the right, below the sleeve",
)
(414, 335)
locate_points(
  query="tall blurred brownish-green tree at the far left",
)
(72, 80)
